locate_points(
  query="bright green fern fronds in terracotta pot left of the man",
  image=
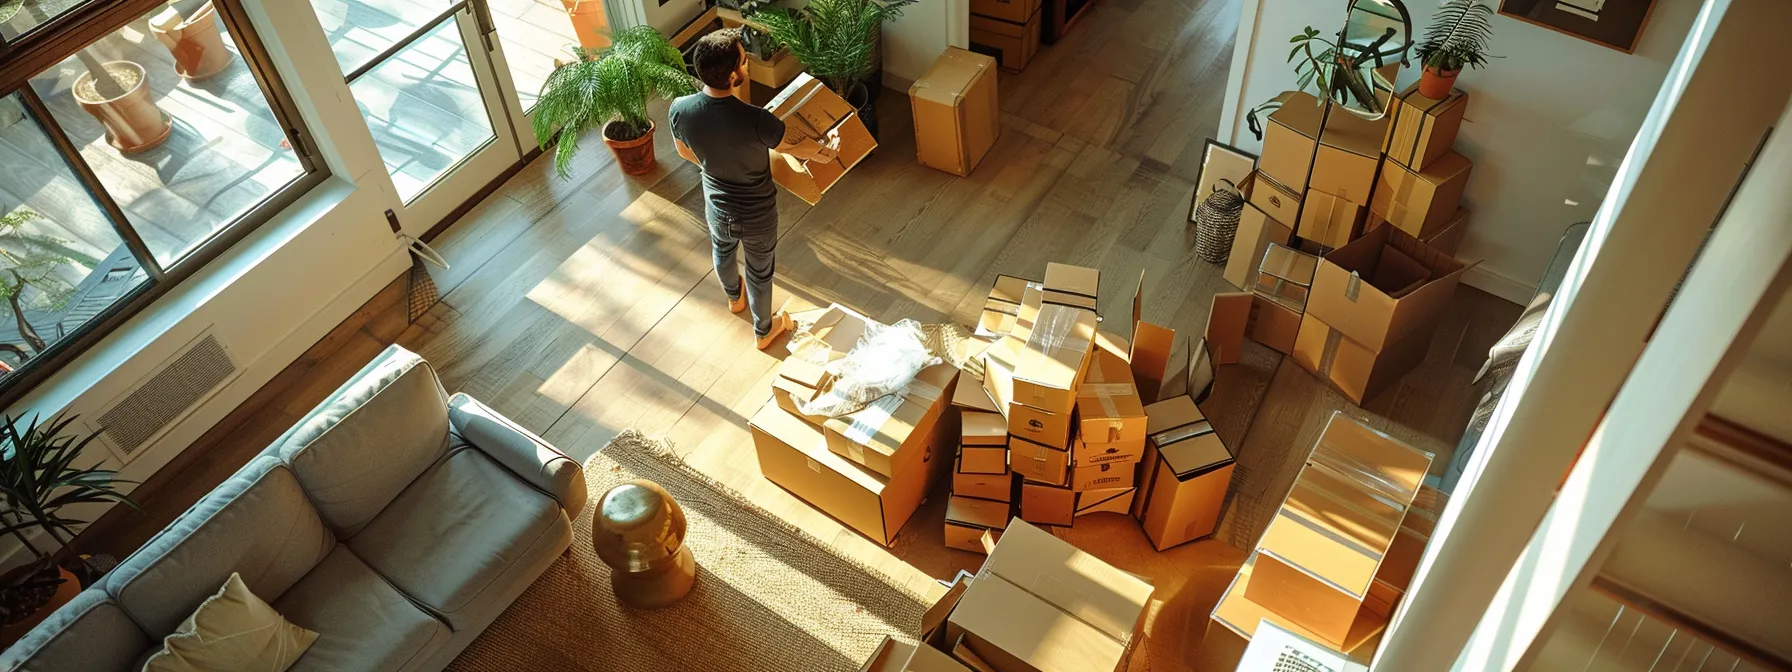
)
(608, 85)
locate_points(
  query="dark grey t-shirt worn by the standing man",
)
(730, 141)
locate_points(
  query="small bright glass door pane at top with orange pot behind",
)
(537, 33)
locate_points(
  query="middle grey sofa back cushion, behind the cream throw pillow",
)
(257, 524)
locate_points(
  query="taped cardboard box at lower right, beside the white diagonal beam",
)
(1340, 553)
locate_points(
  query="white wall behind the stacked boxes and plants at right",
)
(1547, 125)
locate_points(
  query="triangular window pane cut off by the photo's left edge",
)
(62, 263)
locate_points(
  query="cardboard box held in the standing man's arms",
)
(811, 110)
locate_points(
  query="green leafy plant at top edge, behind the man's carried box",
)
(836, 40)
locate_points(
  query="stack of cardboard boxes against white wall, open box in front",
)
(1345, 227)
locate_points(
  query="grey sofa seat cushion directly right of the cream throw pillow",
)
(361, 621)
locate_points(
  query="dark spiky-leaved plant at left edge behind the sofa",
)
(39, 478)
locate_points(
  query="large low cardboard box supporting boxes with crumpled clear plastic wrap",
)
(795, 456)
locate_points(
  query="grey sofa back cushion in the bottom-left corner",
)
(90, 633)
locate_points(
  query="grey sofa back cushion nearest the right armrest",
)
(370, 440)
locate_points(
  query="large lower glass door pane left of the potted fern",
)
(424, 108)
